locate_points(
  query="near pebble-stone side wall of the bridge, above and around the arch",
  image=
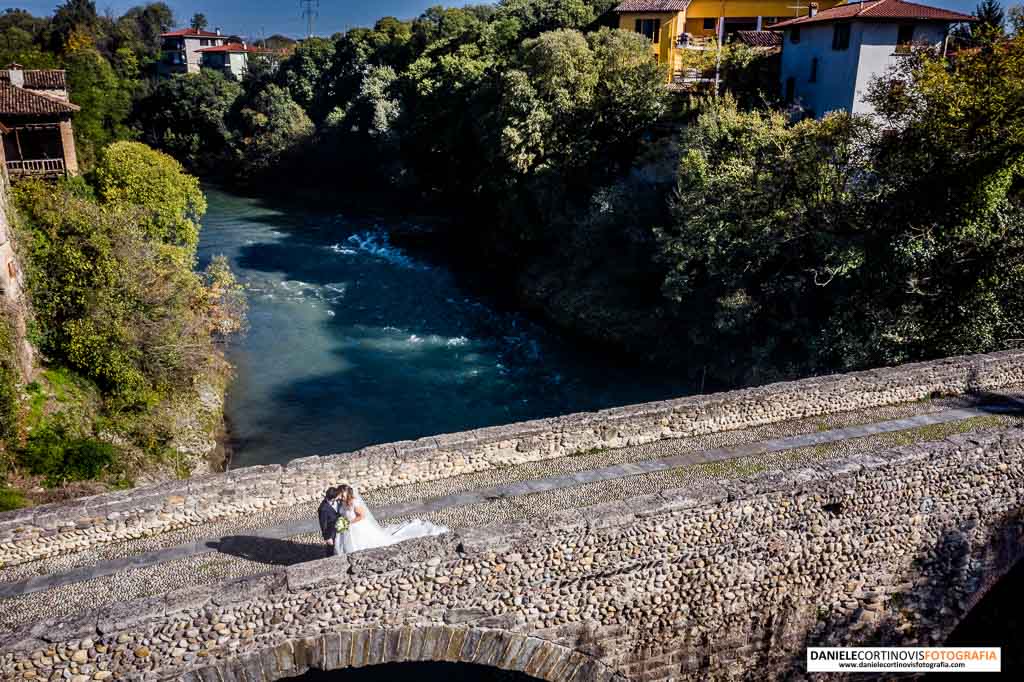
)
(730, 580)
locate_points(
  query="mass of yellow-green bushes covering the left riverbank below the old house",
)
(124, 324)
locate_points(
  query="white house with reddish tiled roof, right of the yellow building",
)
(831, 58)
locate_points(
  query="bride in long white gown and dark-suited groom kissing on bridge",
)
(348, 525)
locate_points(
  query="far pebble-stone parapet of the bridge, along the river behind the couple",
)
(49, 531)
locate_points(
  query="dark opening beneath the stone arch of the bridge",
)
(416, 672)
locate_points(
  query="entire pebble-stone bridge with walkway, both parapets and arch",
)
(709, 537)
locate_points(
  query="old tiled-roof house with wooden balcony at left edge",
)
(36, 124)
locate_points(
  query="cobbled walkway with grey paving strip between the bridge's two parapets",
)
(254, 544)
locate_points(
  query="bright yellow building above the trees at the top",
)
(674, 26)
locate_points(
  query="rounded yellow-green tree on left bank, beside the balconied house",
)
(168, 202)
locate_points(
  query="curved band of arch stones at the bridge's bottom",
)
(371, 647)
